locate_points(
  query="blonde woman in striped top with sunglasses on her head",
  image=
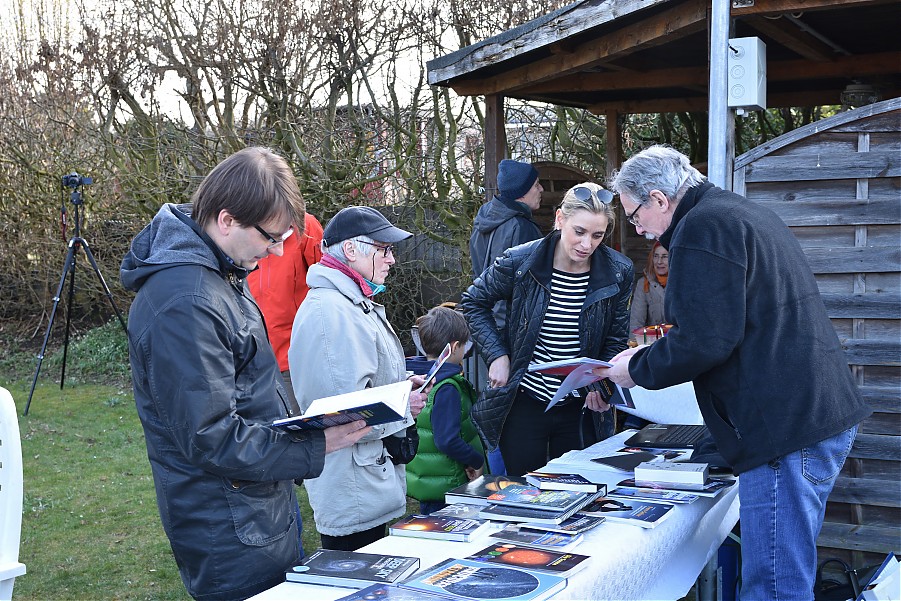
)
(568, 296)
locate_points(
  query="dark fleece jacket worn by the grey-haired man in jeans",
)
(750, 331)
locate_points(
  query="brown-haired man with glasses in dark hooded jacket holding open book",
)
(207, 384)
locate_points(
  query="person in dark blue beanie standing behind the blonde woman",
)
(503, 222)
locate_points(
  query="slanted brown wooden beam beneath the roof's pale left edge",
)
(678, 22)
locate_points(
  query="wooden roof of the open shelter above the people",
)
(638, 56)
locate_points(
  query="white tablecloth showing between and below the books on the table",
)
(626, 561)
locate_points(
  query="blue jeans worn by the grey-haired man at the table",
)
(783, 503)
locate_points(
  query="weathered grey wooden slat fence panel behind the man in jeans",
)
(837, 184)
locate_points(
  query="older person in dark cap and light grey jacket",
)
(341, 342)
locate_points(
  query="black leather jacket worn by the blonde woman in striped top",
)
(521, 277)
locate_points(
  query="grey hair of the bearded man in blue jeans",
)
(656, 168)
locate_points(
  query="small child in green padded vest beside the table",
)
(450, 452)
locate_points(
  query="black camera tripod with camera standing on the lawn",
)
(76, 242)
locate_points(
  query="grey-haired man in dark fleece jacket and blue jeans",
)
(751, 332)
